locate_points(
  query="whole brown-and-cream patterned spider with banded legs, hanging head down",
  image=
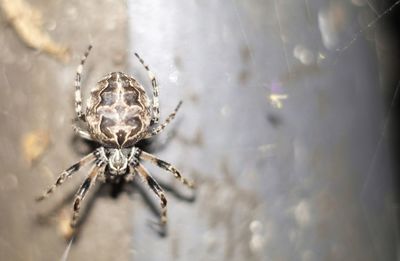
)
(118, 115)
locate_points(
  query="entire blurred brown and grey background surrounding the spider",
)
(289, 126)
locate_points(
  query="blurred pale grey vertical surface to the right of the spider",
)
(307, 179)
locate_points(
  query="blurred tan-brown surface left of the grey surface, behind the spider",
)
(36, 110)
